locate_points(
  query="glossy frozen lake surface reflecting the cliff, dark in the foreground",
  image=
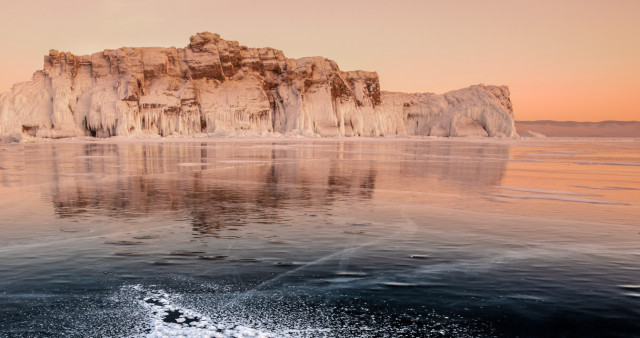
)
(320, 238)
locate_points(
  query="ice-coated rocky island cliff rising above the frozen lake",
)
(214, 86)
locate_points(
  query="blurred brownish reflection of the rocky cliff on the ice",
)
(237, 184)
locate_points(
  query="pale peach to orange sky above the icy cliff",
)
(563, 60)
